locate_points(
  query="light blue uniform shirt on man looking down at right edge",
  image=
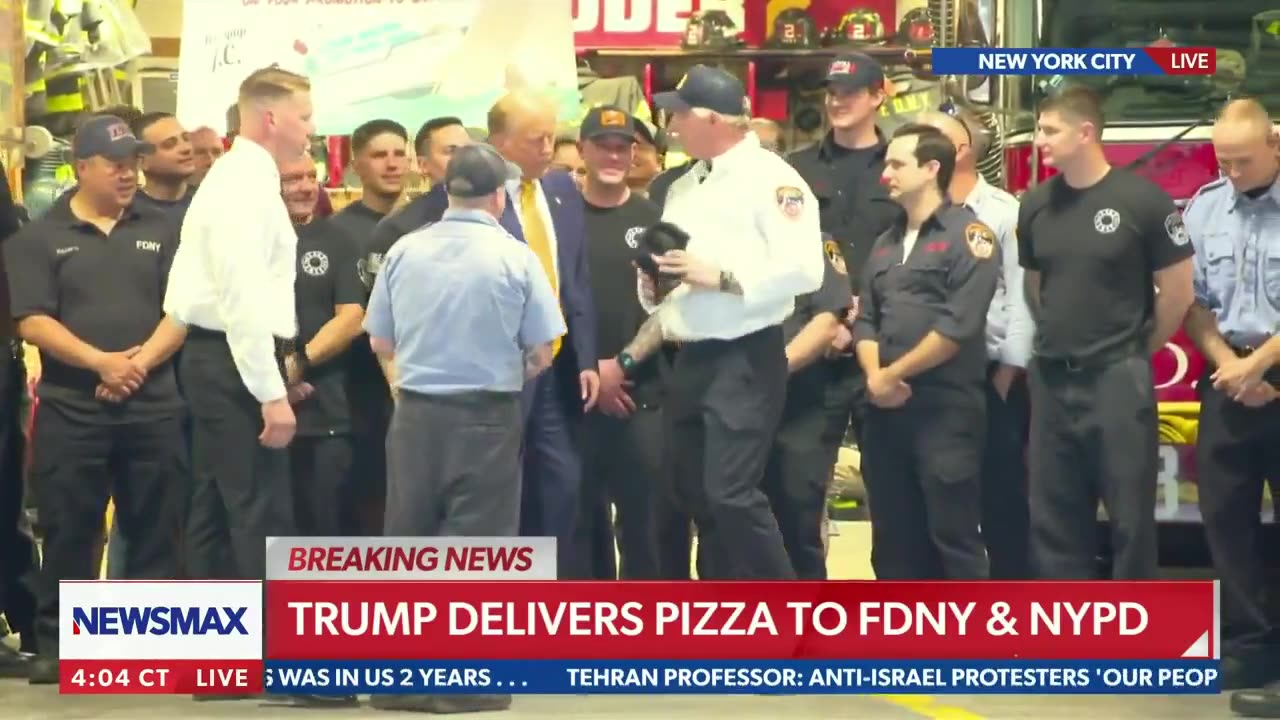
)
(1237, 243)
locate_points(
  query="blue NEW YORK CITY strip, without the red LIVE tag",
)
(1043, 62)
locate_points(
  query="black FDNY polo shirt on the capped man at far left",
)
(107, 290)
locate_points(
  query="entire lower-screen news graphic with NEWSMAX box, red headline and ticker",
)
(367, 617)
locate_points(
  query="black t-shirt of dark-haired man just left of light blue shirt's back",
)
(371, 398)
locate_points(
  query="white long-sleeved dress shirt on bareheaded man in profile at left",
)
(236, 265)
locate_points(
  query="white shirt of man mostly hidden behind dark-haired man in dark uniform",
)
(1011, 329)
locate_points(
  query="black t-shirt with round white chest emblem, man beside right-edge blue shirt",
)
(1096, 250)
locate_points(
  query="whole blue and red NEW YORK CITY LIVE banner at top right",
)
(1162, 61)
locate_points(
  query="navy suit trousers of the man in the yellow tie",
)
(554, 468)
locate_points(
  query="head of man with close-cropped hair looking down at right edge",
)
(1246, 145)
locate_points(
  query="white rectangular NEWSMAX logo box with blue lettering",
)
(161, 621)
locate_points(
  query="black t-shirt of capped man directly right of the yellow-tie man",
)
(611, 248)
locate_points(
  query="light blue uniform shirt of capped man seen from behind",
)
(463, 300)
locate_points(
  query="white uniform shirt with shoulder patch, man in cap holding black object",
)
(755, 217)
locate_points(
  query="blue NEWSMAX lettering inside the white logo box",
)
(159, 621)
